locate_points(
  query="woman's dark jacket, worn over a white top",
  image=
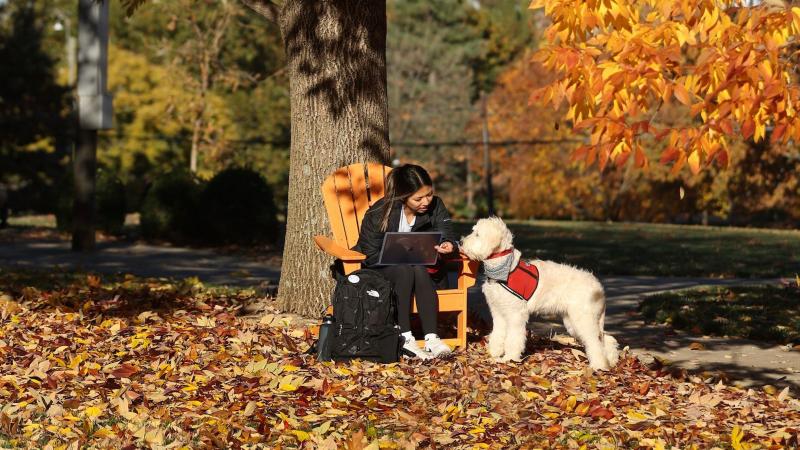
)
(370, 238)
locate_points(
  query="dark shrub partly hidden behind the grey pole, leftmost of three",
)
(109, 203)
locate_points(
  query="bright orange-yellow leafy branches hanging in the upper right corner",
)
(618, 62)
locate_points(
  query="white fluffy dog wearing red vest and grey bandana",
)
(574, 294)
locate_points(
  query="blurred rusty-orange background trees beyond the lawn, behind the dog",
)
(543, 181)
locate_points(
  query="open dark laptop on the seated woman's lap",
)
(415, 248)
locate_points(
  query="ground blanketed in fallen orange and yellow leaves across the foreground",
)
(131, 363)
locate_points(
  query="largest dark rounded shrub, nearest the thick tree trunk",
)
(238, 207)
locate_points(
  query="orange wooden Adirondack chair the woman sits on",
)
(348, 193)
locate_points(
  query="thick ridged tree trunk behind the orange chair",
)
(336, 55)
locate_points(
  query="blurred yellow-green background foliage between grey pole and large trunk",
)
(246, 107)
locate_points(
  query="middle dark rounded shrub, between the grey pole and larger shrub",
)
(171, 208)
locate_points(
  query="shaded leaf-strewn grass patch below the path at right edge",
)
(764, 313)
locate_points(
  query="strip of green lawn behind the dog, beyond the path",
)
(659, 250)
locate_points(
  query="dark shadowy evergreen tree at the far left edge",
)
(34, 137)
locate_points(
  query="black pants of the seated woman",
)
(408, 281)
